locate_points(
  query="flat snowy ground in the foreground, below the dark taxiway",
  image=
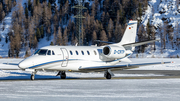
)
(91, 90)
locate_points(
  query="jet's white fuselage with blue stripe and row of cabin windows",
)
(66, 58)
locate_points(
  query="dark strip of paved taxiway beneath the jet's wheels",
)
(135, 74)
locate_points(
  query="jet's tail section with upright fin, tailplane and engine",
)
(122, 50)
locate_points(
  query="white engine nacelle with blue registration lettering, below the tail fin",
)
(114, 52)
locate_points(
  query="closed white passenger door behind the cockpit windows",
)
(65, 57)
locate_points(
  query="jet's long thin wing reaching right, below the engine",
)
(127, 66)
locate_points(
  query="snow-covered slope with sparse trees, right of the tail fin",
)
(158, 12)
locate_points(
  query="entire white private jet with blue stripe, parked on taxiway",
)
(86, 59)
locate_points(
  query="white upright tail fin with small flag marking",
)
(130, 33)
